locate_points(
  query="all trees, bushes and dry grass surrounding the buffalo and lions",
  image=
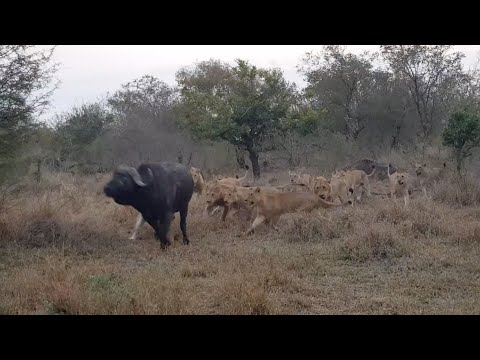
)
(64, 246)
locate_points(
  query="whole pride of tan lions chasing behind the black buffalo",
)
(304, 192)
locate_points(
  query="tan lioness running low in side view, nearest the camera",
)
(271, 205)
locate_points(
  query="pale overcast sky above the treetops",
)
(88, 72)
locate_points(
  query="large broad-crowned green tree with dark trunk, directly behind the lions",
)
(240, 104)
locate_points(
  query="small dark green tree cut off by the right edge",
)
(462, 133)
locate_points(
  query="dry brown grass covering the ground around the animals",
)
(64, 249)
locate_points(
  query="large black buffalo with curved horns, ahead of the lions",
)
(157, 191)
